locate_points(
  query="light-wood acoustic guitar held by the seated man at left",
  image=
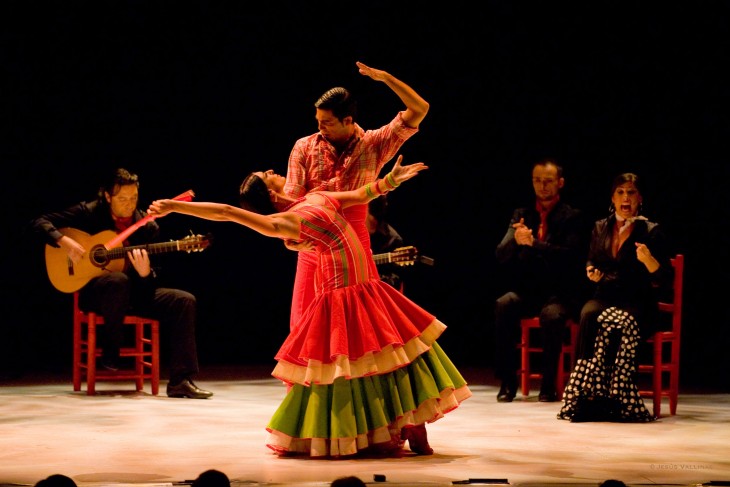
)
(68, 277)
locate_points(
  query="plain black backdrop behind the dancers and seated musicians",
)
(194, 95)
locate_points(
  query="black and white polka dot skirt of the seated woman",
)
(602, 388)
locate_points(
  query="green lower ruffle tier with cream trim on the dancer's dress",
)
(366, 414)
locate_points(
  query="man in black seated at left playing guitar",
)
(133, 290)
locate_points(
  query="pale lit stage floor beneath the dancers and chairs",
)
(123, 437)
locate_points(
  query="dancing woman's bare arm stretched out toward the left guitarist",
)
(280, 225)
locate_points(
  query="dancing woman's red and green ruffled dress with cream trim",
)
(362, 363)
